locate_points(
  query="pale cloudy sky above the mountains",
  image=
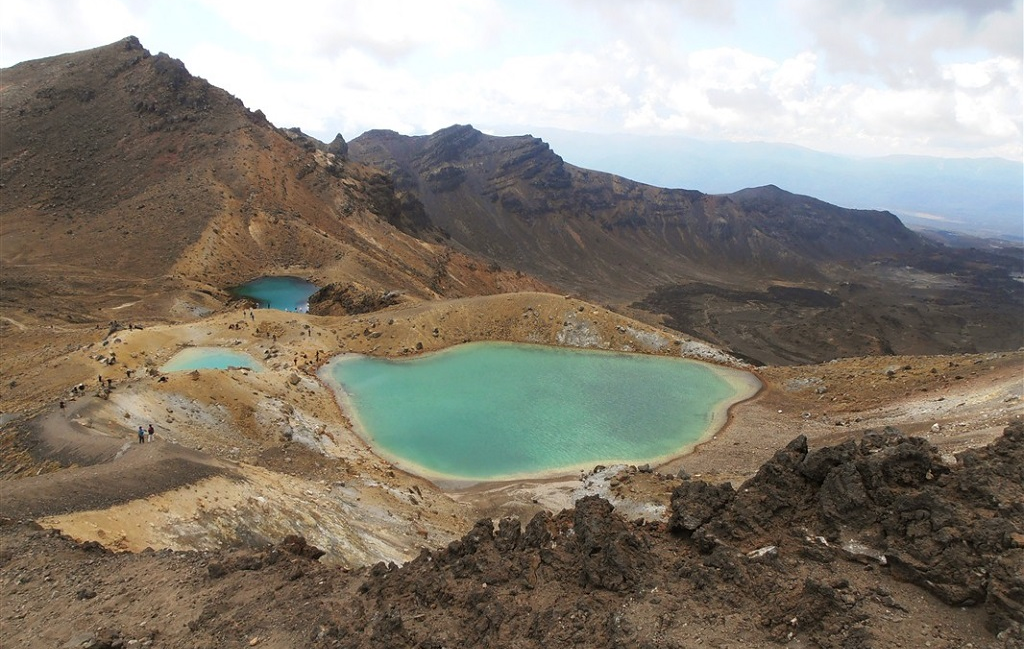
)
(863, 77)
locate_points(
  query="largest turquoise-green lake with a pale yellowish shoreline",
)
(500, 411)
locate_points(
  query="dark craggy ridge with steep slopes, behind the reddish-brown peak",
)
(517, 201)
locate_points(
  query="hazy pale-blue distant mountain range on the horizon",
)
(982, 197)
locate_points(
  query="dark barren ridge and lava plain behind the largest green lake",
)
(775, 277)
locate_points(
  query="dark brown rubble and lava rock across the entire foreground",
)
(877, 543)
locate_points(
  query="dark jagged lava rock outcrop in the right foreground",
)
(956, 532)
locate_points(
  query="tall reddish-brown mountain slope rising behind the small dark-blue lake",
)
(122, 174)
